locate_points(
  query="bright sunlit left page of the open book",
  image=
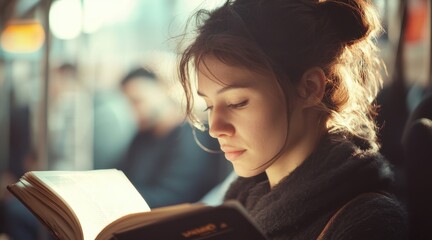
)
(97, 197)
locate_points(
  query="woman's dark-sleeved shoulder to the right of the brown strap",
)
(370, 216)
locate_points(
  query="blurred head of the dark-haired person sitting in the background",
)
(147, 97)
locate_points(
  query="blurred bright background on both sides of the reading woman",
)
(62, 62)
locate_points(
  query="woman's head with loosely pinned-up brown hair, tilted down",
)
(299, 56)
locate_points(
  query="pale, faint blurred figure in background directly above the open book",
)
(68, 110)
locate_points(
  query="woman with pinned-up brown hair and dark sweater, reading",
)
(289, 87)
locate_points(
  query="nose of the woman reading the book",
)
(219, 124)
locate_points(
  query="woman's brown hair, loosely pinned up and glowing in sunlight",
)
(285, 38)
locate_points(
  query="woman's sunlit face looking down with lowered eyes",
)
(246, 113)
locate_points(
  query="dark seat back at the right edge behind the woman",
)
(417, 146)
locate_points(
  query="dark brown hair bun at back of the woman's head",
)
(349, 18)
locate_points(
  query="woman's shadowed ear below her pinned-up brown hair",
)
(312, 86)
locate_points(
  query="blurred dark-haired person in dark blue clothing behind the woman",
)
(164, 161)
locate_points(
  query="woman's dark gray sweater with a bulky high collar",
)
(335, 173)
